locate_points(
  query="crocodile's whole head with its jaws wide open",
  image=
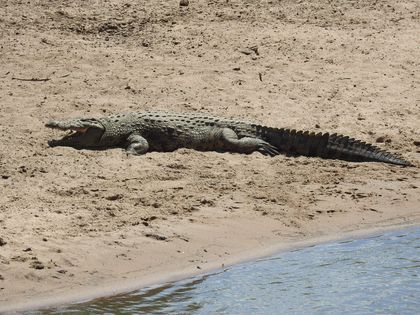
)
(84, 133)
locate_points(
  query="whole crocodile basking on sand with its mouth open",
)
(141, 132)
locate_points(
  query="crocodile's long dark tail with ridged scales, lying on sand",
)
(330, 146)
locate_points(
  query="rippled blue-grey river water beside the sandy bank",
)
(376, 275)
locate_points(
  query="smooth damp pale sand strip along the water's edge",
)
(218, 243)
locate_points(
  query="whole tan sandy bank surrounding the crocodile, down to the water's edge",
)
(83, 223)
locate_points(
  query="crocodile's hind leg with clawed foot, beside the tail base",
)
(231, 142)
